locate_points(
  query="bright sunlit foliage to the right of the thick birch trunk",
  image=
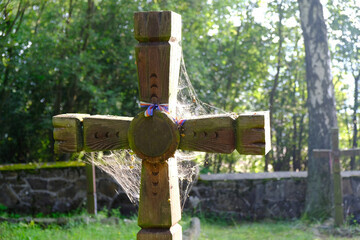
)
(344, 29)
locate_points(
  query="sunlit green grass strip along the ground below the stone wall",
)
(210, 229)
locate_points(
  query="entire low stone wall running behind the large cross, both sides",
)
(244, 196)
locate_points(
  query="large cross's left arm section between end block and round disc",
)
(106, 133)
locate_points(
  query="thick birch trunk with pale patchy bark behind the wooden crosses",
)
(321, 107)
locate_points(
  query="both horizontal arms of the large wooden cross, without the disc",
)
(248, 133)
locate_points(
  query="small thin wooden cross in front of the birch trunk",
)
(334, 158)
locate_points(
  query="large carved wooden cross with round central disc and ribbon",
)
(155, 139)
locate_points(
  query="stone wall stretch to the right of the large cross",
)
(279, 195)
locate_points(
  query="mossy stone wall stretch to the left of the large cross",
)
(58, 190)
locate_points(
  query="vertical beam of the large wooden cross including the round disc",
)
(158, 57)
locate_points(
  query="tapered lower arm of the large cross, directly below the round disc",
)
(159, 205)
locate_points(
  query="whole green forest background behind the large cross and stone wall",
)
(78, 56)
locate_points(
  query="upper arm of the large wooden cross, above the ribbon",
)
(158, 56)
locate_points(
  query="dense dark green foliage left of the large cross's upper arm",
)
(63, 57)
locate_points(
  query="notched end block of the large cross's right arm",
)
(253, 133)
